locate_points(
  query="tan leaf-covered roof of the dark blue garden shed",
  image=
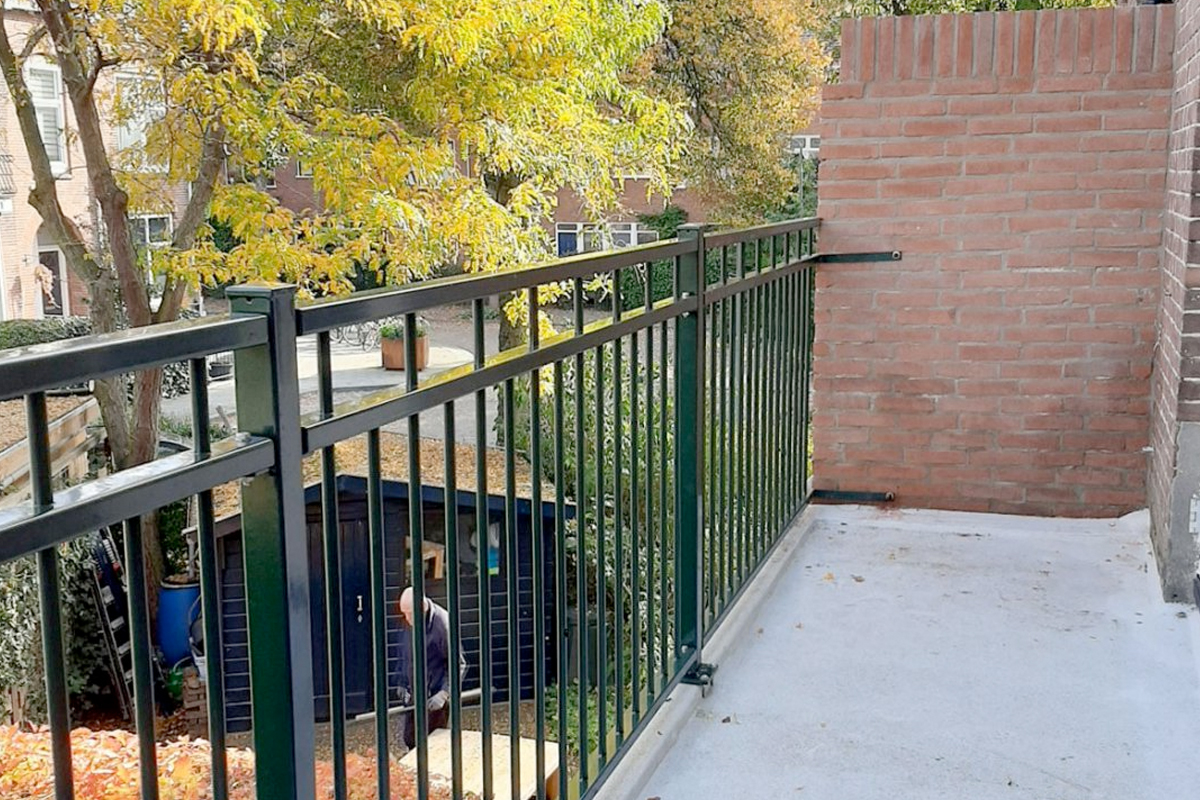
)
(351, 458)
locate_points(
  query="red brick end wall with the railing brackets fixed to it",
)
(1018, 160)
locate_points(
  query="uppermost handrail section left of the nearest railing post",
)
(69, 363)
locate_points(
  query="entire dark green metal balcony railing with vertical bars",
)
(669, 438)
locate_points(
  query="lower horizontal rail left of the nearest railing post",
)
(130, 494)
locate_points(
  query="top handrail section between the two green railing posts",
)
(376, 304)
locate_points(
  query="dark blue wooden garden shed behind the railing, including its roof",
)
(357, 619)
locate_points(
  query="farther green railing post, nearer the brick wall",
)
(689, 462)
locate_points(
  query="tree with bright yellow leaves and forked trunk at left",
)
(371, 94)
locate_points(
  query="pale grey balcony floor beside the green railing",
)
(937, 655)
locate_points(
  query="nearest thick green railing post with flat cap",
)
(277, 551)
